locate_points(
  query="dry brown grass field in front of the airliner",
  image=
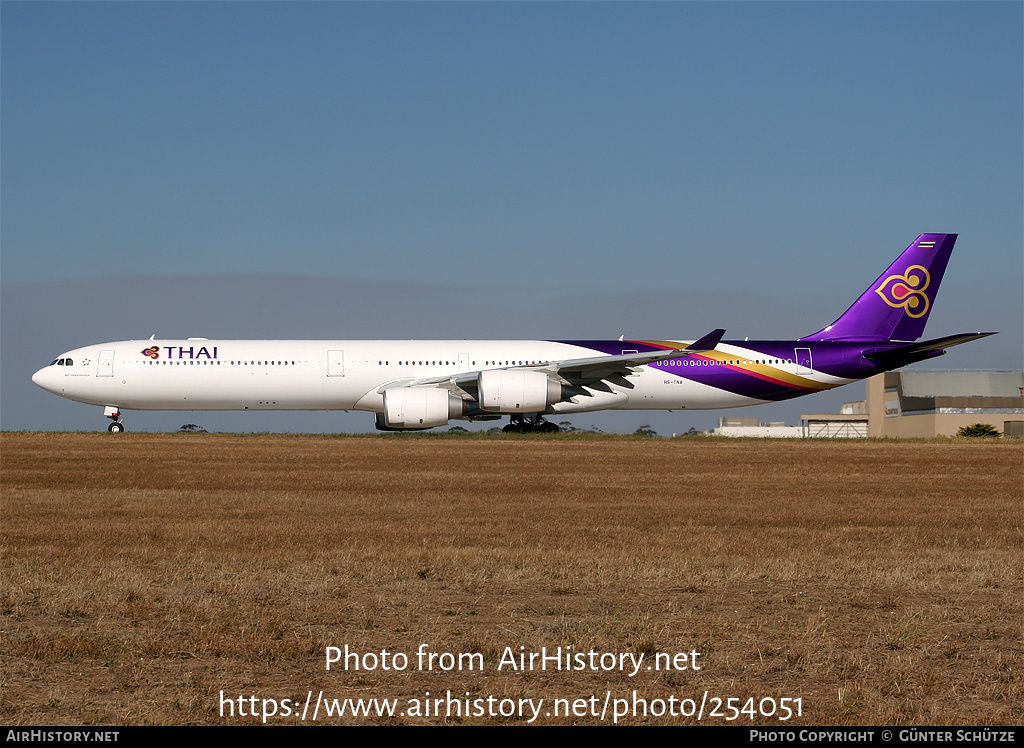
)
(148, 578)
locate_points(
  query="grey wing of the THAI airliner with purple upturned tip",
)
(594, 373)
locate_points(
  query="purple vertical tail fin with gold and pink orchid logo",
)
(897, 306)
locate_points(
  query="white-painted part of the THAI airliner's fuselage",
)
(201, 375)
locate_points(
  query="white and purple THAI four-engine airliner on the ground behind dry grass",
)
(428, 384)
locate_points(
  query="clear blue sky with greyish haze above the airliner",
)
(550, 170)
